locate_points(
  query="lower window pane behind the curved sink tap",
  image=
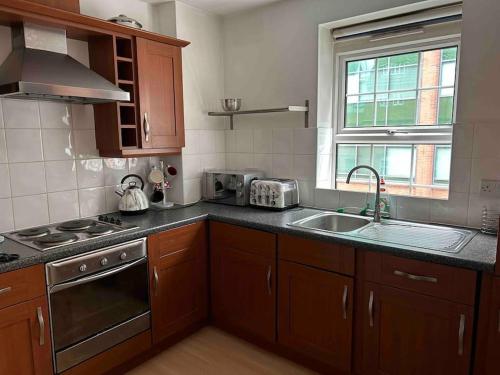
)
(418, 170)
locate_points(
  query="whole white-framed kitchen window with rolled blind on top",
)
(395, 101)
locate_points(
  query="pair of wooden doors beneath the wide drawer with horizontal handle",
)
(408, 333)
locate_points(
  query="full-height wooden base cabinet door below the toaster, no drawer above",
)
(243, 284)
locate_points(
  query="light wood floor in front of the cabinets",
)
(213, 352)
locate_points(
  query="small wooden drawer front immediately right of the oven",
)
(179, 244)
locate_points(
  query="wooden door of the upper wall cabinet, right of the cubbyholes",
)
(159, 69)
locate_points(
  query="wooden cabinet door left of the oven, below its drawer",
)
(25, 347)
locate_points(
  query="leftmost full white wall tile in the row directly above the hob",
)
(30, 211)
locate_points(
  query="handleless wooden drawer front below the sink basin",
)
(328, 256)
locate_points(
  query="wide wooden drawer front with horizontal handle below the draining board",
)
(446, 282)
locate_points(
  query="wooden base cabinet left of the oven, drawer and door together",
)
(25, 345)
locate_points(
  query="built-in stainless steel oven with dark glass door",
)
(97, 300)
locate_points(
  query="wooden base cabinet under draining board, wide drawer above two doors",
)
(405, 324)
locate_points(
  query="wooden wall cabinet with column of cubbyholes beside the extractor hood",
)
(152, 122)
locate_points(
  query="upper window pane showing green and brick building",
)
(409, 89)
